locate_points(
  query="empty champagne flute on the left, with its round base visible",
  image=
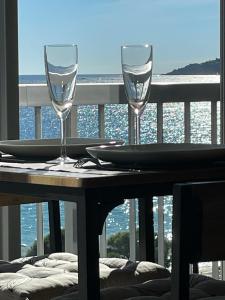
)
(61, 64)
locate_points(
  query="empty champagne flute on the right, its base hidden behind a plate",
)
(136, 63)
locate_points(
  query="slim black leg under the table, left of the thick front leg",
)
(54, 225)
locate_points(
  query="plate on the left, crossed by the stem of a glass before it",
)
(50, 148)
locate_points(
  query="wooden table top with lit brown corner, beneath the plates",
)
(103, 178)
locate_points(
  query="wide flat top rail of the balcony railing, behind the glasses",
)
(113, 93)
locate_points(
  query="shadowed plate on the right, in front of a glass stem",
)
(158, 154)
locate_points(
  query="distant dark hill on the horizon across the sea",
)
(211, 67)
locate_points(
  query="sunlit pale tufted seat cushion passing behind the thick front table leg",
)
(45, 277)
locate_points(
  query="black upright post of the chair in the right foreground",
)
(181, 243)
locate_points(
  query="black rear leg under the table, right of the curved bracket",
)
(146, 229)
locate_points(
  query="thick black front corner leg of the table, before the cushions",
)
(88, 247)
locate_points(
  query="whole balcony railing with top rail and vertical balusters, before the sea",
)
(162, 95)
